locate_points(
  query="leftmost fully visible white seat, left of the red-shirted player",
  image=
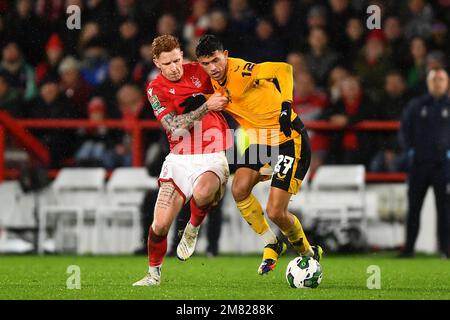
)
(77, 192)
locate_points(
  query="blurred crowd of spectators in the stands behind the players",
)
(343, 72)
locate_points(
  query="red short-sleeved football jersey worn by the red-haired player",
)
(165, 96)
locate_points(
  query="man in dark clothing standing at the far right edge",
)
(425, 132)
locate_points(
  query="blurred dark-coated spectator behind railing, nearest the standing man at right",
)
(395, 98)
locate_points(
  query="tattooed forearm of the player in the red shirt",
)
(175, 124)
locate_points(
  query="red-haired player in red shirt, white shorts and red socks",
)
(196, 168)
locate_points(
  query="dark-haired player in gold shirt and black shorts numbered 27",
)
(259, 99)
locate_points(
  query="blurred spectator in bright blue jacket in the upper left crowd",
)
(94, 63)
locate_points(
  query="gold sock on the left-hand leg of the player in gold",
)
(253, 213)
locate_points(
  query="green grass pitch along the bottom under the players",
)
(225, 277)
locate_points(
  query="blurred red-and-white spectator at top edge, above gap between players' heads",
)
(197, 23)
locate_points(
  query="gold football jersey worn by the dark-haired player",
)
(255, 93)
